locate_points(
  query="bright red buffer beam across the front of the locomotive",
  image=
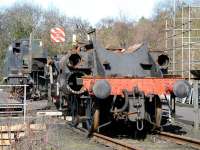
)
(147, 85)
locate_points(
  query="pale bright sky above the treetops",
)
(94, 10)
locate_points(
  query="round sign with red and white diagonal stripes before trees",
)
(57, 35)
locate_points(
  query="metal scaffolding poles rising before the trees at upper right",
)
(183, 39)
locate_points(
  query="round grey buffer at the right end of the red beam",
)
(181, 89)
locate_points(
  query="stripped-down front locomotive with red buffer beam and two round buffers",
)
(98, 85)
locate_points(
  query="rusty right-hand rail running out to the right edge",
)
(181, 140)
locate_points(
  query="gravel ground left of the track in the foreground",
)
(58, 136)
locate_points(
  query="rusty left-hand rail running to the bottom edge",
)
(113, 143)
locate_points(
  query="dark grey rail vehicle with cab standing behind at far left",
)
(24, 63)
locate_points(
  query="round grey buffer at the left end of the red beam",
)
(101, 89)
